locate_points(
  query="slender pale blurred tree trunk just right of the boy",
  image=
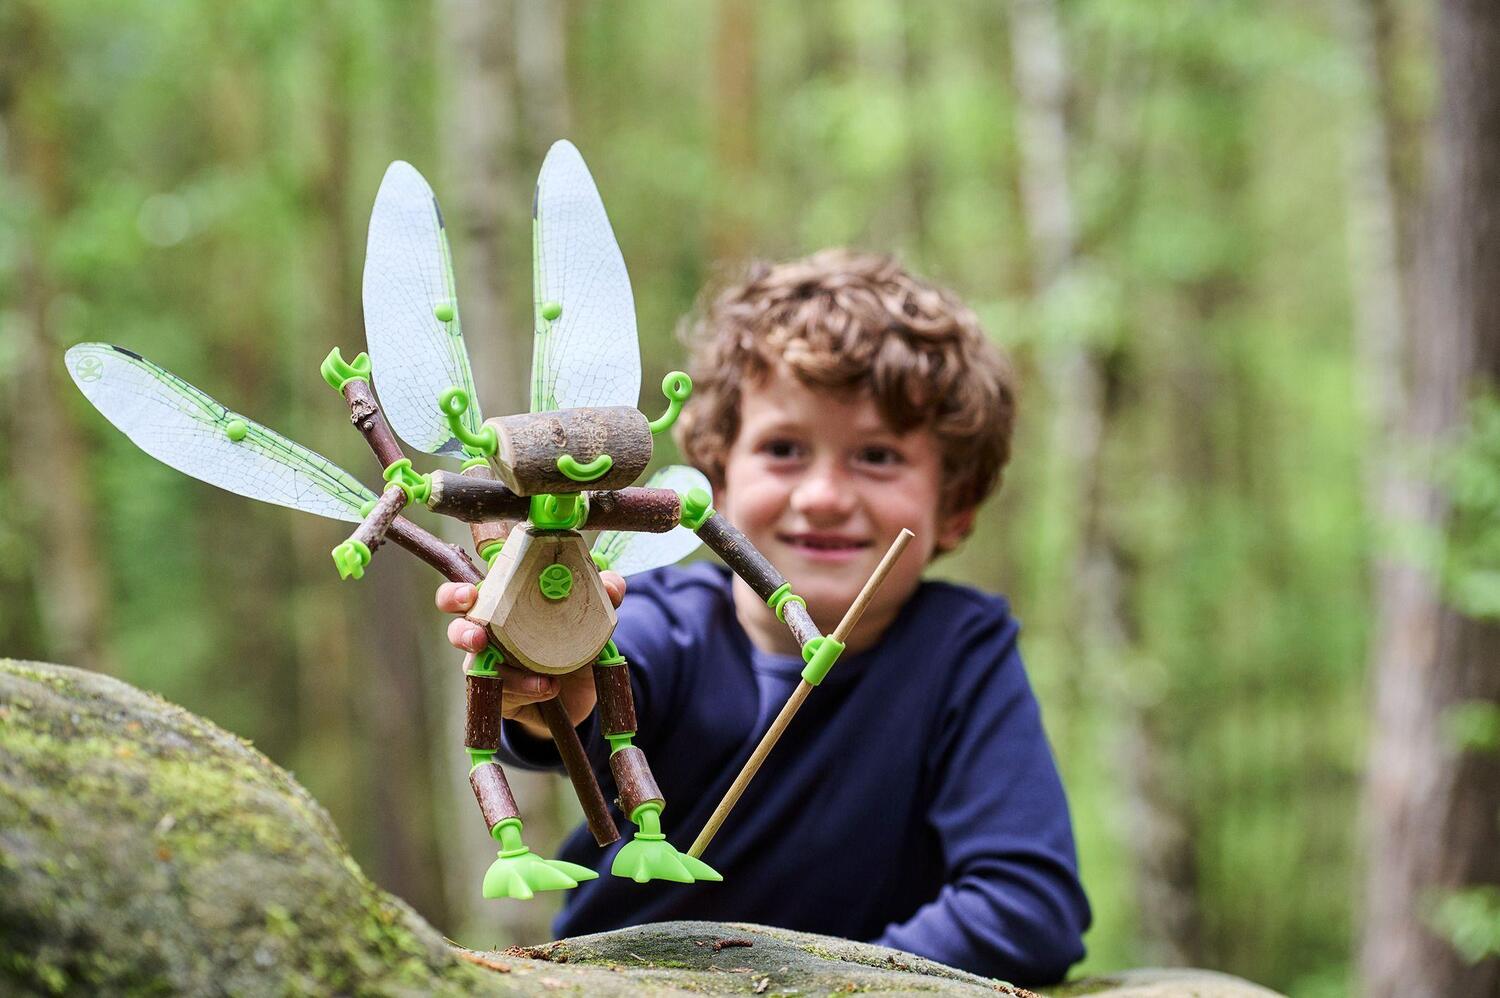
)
(1075, 374)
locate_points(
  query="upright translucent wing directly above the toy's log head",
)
(589, 355)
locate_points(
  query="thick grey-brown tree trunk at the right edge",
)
(1433, 810)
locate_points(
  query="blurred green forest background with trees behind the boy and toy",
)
(1238, 250)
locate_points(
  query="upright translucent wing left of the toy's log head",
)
(412, 316)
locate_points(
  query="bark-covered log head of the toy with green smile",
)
(572, 449)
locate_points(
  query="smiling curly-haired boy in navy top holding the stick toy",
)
(914, 801)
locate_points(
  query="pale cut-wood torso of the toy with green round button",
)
(545, 603)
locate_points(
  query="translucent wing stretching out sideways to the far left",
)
(182, 427)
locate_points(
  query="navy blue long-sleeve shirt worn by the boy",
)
(913, 802)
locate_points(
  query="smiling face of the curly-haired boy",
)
(823, 487)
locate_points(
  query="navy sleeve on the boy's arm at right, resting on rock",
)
(1012, 904)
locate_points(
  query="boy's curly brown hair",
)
(856, 323)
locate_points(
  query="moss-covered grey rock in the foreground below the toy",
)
(145, 850)
